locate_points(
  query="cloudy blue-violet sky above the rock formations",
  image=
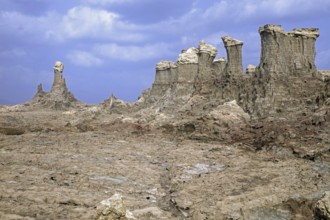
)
(112, 46)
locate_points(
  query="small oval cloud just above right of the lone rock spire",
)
(83, 58)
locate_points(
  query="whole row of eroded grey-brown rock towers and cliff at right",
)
(286, 80)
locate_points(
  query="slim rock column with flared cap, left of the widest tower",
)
(234, 55)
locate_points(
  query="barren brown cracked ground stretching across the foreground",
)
(50, 170)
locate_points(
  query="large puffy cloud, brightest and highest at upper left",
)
(87, 22)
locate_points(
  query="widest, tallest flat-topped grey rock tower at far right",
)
(291, 53)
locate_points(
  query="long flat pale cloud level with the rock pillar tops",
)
(133, 53)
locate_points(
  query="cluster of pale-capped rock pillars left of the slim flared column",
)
(193, 66)
